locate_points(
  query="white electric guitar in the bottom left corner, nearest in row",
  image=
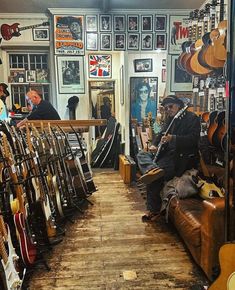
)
(12, 279)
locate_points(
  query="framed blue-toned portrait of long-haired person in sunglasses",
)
(142, 88)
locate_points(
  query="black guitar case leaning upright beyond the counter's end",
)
(104, 145)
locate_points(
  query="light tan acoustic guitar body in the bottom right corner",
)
(227, 264)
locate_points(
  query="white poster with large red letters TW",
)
(178, 33)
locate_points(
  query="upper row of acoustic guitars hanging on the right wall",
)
(205, 50)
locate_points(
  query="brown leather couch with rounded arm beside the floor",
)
(200, 223)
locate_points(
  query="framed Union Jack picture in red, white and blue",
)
(100, 65)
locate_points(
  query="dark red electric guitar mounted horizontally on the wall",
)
(8, 31)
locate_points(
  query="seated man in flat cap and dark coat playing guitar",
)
(180, 152)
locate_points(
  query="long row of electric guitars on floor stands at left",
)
(43, 181)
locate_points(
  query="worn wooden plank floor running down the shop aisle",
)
(110, 248)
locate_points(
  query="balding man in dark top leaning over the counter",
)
(41, 109)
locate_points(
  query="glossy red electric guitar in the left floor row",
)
(27, 249)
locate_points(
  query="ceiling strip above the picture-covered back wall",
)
(41, 6)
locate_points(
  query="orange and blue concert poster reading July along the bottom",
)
(69, 34)
